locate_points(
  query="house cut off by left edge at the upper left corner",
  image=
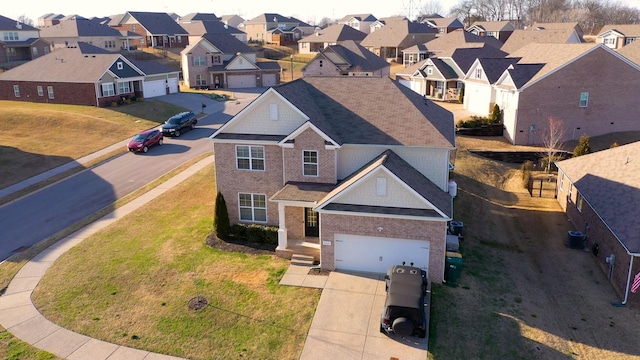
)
(19, 43)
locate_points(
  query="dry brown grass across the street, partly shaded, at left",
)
(39, 137)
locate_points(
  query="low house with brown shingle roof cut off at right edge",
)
(600, 193)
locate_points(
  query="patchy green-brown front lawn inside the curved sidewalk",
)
(131, 283)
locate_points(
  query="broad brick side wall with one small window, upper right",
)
(604, 76)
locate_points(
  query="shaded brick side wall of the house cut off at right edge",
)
(598, 233)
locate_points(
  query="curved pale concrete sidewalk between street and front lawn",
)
(21, 318)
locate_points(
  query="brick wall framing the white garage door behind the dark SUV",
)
(433, 231)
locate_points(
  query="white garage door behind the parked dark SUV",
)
(373, 254)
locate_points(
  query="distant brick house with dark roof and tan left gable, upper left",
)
(157, 29)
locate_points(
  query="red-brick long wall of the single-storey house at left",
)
(64, 93)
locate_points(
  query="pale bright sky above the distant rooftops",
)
(312, 11)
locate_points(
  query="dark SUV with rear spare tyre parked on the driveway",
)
(403, 312)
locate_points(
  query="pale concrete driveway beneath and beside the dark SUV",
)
(346, 324)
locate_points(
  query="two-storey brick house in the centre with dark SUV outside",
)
(335, 165)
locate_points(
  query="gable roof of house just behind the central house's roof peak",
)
(355, 57)
